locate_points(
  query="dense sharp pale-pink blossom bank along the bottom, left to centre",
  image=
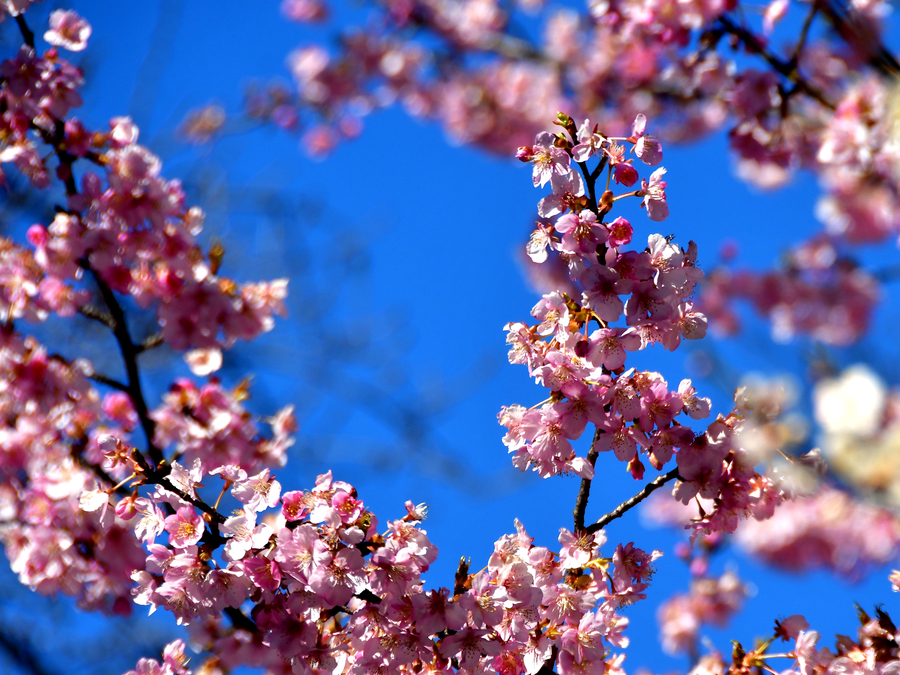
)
(331, 592)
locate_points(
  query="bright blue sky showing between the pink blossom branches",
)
(434, 233)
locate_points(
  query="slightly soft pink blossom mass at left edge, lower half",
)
(52, 419)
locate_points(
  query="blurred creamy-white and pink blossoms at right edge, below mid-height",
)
(821, 526)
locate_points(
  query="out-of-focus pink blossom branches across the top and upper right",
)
(821, 103)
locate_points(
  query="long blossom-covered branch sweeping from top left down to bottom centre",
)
(90, 513)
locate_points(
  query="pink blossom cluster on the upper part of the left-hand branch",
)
(124, 222)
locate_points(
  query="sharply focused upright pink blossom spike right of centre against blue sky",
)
(634, 412)
